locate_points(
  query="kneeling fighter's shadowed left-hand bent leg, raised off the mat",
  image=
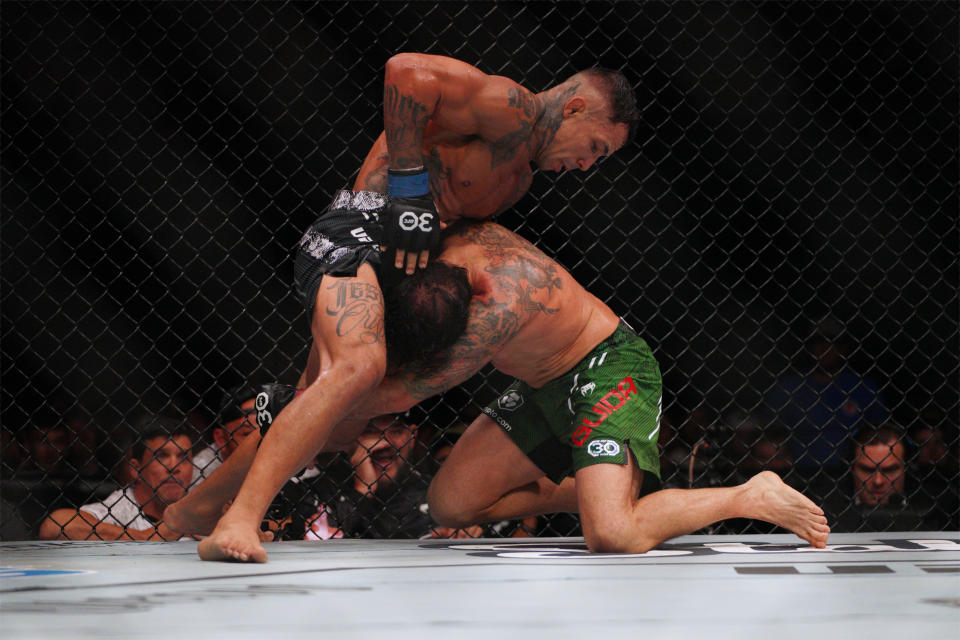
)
(488, 478)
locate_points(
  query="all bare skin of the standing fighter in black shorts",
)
(479, 137)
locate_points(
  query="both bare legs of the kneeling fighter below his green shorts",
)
(487, 478)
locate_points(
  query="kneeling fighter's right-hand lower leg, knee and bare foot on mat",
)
(615, 521)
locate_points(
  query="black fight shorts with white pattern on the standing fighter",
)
(346, 235)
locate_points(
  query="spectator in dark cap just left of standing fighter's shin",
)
(236, 420)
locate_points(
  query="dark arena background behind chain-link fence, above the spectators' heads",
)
(160, 162)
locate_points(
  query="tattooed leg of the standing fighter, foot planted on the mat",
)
(347, 329)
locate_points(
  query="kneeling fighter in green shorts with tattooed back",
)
(577, 431)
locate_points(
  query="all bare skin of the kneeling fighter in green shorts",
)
(533, 321)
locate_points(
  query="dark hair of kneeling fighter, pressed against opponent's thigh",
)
(425, 314)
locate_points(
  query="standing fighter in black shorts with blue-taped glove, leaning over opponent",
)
(456, 143)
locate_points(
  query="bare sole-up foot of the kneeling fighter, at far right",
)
(770, 500)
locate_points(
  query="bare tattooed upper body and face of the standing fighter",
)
(478, 135)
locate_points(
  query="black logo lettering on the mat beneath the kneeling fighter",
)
(578, 550)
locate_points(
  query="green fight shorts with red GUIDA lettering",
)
(608, 403)
